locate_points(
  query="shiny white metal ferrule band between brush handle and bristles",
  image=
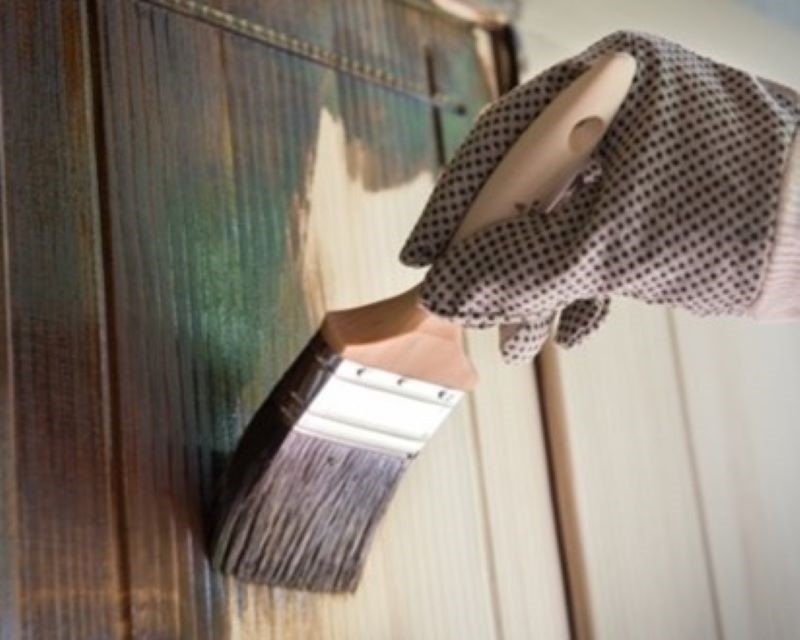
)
(372, 408)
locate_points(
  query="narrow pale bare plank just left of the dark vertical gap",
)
(522, 532)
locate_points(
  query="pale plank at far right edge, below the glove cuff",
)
(740, 382)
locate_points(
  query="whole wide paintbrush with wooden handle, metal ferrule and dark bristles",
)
(322, 457)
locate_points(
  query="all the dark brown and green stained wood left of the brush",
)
(154, 170)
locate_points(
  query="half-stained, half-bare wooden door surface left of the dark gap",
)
(187, 185)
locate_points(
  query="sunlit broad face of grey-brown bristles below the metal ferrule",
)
(308, 521)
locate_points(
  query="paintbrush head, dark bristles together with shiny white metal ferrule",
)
(316, 469)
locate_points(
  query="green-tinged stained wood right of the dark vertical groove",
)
(211, 119)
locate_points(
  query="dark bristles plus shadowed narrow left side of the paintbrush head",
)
(295, 510)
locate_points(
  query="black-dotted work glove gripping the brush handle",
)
(678, 206)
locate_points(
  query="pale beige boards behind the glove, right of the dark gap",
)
(677, 437)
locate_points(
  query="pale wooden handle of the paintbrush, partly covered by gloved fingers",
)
(398, 334)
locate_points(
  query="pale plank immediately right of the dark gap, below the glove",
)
(633, 532)
